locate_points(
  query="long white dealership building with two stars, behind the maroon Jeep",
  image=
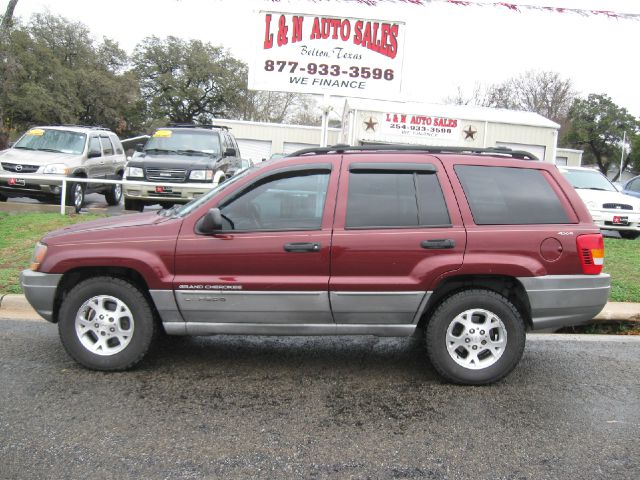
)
(370, 122)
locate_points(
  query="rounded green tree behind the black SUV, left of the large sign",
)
(189, 81)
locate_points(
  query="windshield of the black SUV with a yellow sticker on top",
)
(186, 142)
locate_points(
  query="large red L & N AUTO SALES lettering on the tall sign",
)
(376, 36)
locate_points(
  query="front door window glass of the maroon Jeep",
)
(292, 202)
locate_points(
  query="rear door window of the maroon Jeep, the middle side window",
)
(386, 199)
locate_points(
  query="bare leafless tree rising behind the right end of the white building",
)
(543, 92)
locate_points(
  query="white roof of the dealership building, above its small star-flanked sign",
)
(466, 112)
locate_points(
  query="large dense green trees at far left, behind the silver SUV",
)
(52, 72)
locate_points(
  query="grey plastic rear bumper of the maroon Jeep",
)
(564, 300)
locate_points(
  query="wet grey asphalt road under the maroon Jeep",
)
(239, 407)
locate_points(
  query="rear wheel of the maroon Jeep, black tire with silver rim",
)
(462, 364)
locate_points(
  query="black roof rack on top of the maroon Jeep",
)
(507, 152)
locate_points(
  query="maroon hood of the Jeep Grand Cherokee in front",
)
(122, 224)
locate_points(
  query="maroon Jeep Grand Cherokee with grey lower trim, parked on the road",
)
(471, 247)
